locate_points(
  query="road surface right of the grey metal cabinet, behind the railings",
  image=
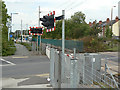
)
(112, 59)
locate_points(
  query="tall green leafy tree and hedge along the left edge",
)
(6, 50)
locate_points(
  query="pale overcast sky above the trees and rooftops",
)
(28, 10)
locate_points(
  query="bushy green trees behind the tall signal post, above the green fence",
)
(75, 28)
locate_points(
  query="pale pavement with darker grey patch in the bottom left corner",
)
(33, 82)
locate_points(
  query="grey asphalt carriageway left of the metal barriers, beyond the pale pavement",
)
(26, 66)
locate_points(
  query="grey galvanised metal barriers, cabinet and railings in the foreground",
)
(84, 71)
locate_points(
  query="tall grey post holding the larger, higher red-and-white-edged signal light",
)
(48, 21)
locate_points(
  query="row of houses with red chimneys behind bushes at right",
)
(115, 27)
